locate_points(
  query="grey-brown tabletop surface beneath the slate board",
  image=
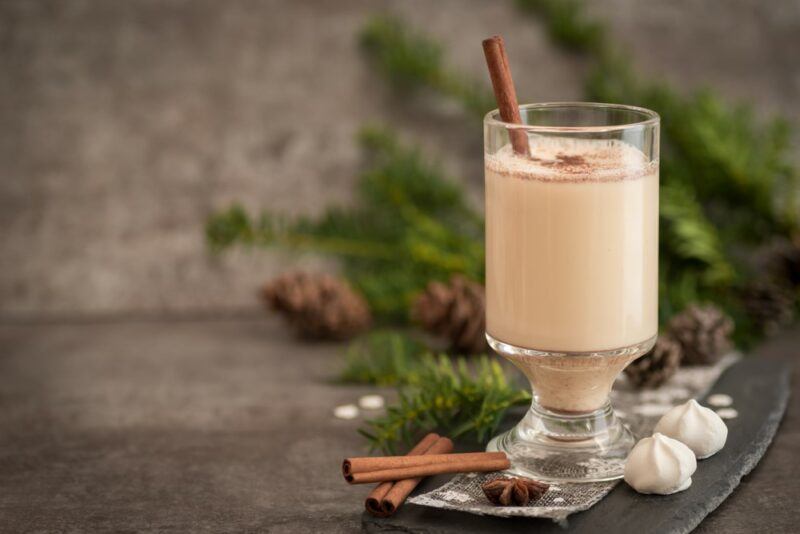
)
(226, 426)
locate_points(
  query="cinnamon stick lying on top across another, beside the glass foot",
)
(365, 470)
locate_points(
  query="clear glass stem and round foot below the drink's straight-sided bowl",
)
(563, 446)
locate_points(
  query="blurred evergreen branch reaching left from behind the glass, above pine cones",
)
(409, 225)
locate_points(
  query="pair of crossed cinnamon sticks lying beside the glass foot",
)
(399, 475)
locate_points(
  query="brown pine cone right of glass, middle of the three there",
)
(703, 333)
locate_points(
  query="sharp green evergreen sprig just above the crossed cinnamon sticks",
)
(454, 398)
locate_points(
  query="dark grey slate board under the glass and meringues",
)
(760, 389)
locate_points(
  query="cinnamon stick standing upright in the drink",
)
(499, 71)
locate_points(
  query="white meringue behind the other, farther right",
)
(698, 427)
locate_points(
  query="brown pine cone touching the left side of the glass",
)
(455, 311)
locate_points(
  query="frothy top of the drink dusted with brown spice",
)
(573, 160)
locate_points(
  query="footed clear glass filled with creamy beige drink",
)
(571, 275)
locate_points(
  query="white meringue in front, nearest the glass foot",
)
(660, 465)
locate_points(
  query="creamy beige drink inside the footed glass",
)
(572, 262)
